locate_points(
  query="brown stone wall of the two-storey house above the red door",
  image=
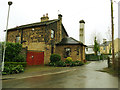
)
(39, 39)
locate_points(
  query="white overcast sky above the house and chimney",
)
(95, 13)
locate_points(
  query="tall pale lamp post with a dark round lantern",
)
(9, 3)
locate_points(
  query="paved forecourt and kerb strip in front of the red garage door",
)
(33, 71)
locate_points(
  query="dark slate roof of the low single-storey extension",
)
(70, 41)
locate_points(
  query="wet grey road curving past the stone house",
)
(86, 76)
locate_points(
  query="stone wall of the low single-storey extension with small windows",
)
(73, 54)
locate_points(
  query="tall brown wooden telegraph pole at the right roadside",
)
(112, 26)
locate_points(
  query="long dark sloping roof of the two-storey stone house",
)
(35, 24)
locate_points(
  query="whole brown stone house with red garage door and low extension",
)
(43, 39)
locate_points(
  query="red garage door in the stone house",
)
(35, 58)
